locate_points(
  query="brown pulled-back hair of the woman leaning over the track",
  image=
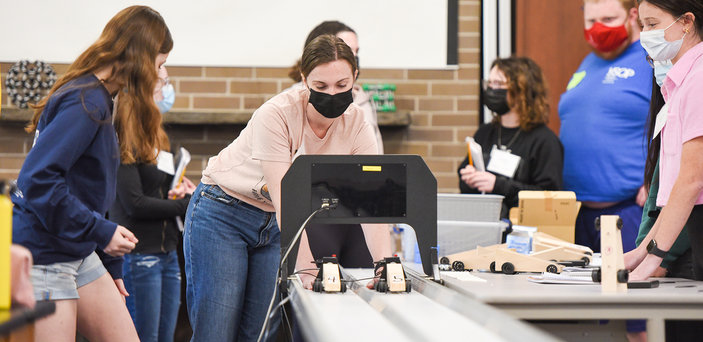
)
(324, 49)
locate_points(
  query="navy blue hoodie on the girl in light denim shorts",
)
(68, 180)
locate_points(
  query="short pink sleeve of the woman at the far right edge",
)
(691, 108)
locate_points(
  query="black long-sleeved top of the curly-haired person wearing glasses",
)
(541, 161)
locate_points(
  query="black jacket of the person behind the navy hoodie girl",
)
(143, 208)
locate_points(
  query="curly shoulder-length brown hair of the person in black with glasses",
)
(527, 90)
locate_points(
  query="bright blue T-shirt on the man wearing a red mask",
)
(603, 117)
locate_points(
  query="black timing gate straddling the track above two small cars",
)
(361, 189)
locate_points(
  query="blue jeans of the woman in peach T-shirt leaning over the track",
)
(232, 254)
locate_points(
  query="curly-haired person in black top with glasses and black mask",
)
(519, 150)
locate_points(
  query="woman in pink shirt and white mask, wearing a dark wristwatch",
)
(673, 30)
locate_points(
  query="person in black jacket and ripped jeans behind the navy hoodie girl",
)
(147, 204)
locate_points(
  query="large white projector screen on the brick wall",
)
(263, 33)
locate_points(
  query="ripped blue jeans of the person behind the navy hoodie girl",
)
(153, 282)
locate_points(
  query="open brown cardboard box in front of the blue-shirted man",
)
(552, 212)
